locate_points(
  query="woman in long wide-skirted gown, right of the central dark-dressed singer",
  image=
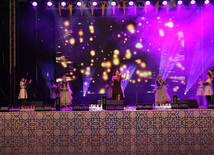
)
(161, 95)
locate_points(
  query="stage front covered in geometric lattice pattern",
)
(188, 131)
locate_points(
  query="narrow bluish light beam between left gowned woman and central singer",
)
(87, 77)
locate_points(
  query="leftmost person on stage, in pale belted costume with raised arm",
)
(23, 90)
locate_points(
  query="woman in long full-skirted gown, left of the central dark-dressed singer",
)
(65, 92)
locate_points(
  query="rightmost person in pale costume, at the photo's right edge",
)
(207, 90)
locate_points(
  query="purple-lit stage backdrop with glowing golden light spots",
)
(169, 43)
